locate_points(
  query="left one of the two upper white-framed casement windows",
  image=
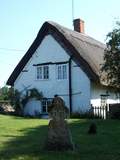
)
(42, 72)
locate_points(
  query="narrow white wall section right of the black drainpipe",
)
(80, 89)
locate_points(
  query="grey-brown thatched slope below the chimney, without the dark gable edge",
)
(89, 49)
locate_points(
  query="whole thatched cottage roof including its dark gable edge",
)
(85, 51)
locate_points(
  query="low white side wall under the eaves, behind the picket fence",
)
(97, 90)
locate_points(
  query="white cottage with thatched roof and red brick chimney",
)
(67, 63)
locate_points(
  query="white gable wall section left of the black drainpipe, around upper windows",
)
(48, 51)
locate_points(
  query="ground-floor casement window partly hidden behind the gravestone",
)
(45, 103)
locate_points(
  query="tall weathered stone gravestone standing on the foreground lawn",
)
(59, 136)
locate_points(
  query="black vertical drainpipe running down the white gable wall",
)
(70, 85)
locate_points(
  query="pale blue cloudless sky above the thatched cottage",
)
(21, 20)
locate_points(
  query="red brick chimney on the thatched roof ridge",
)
(78, 25)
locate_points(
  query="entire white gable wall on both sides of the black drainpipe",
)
(51, 51)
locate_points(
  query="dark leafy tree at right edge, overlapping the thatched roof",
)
(111, 66)
